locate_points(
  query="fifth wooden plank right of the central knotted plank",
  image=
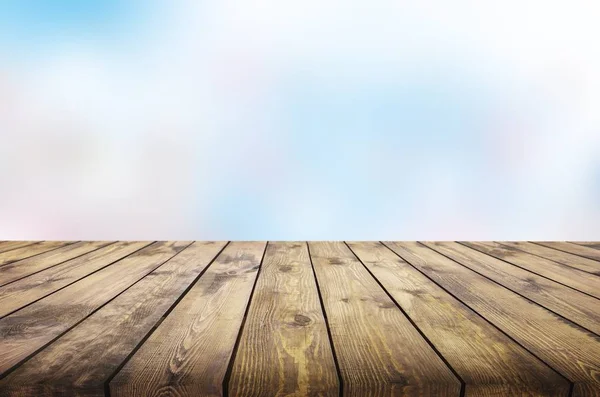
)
(565, 275)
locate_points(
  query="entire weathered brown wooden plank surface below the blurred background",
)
(299, 319)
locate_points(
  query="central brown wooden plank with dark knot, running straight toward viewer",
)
(286, 321)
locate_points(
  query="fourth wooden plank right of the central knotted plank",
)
(577, 307)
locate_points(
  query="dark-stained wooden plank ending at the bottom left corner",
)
(82, 360)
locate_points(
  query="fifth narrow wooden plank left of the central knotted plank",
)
(23, 268)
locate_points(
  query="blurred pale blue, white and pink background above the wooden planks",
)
(328, 119)
